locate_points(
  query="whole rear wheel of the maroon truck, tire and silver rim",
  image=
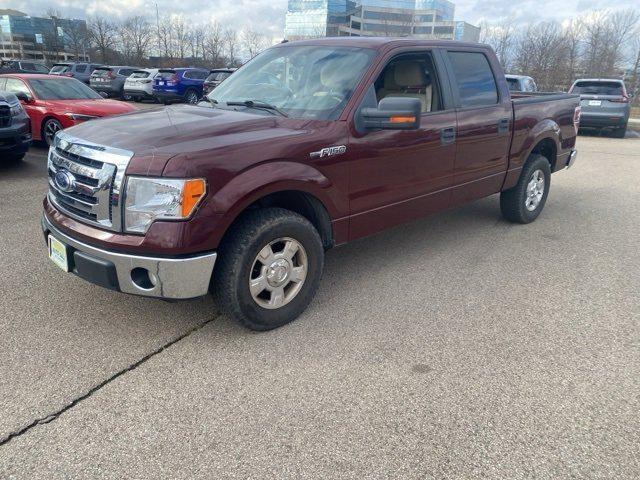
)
(524, 202)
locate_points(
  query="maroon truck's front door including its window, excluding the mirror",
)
(399, 175)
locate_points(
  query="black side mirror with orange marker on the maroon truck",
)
(393, 113)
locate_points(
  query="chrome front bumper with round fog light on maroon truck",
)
(161, 277)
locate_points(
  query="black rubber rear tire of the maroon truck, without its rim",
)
(512, 201)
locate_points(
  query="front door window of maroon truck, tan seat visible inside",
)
(411, 75)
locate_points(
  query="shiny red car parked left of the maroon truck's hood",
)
(54, 103)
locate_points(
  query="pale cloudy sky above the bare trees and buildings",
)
(267, 16)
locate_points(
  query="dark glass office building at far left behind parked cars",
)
(40, 38)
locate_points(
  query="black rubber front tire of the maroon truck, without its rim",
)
(236, 257)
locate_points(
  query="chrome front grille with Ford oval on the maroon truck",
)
(85, 180)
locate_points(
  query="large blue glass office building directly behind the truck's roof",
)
(391, 18)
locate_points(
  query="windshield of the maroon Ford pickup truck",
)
(301, 81)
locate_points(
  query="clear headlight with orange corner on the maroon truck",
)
(149, 199)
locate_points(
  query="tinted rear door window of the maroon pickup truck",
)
(474, 78)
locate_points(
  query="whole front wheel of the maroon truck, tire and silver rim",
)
(269, 268)
